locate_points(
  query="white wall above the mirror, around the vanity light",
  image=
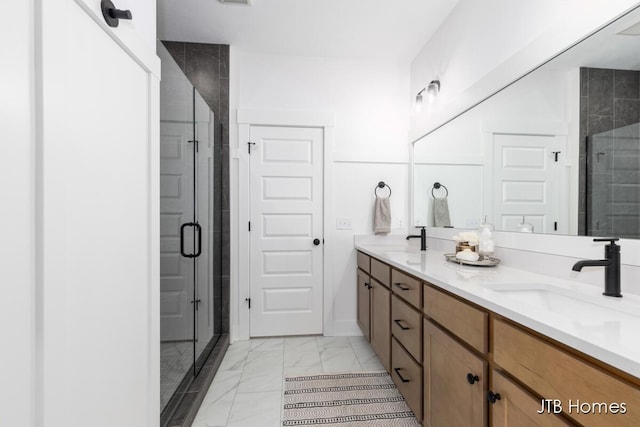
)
(484, 45)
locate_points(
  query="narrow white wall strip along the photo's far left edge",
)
(17, 224)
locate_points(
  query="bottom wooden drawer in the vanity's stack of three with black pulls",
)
(407, 375)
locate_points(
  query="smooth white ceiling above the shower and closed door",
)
(359, 29)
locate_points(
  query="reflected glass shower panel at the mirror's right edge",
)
(613, 183)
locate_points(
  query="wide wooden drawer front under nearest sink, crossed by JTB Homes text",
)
(555, 374)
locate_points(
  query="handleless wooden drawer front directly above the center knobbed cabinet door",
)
(467, 322)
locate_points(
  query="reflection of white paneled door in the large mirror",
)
(527, 182)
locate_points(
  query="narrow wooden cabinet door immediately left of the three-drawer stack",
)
(380, 323)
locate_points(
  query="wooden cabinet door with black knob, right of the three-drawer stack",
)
(454, 382)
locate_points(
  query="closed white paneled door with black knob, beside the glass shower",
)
(286, 236)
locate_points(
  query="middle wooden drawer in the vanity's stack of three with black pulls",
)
(406, 326)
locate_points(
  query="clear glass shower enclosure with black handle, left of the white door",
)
(190, 295)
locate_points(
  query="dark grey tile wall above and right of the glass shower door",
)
(207, 68)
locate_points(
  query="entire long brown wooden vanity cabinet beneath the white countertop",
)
(457, 364)
